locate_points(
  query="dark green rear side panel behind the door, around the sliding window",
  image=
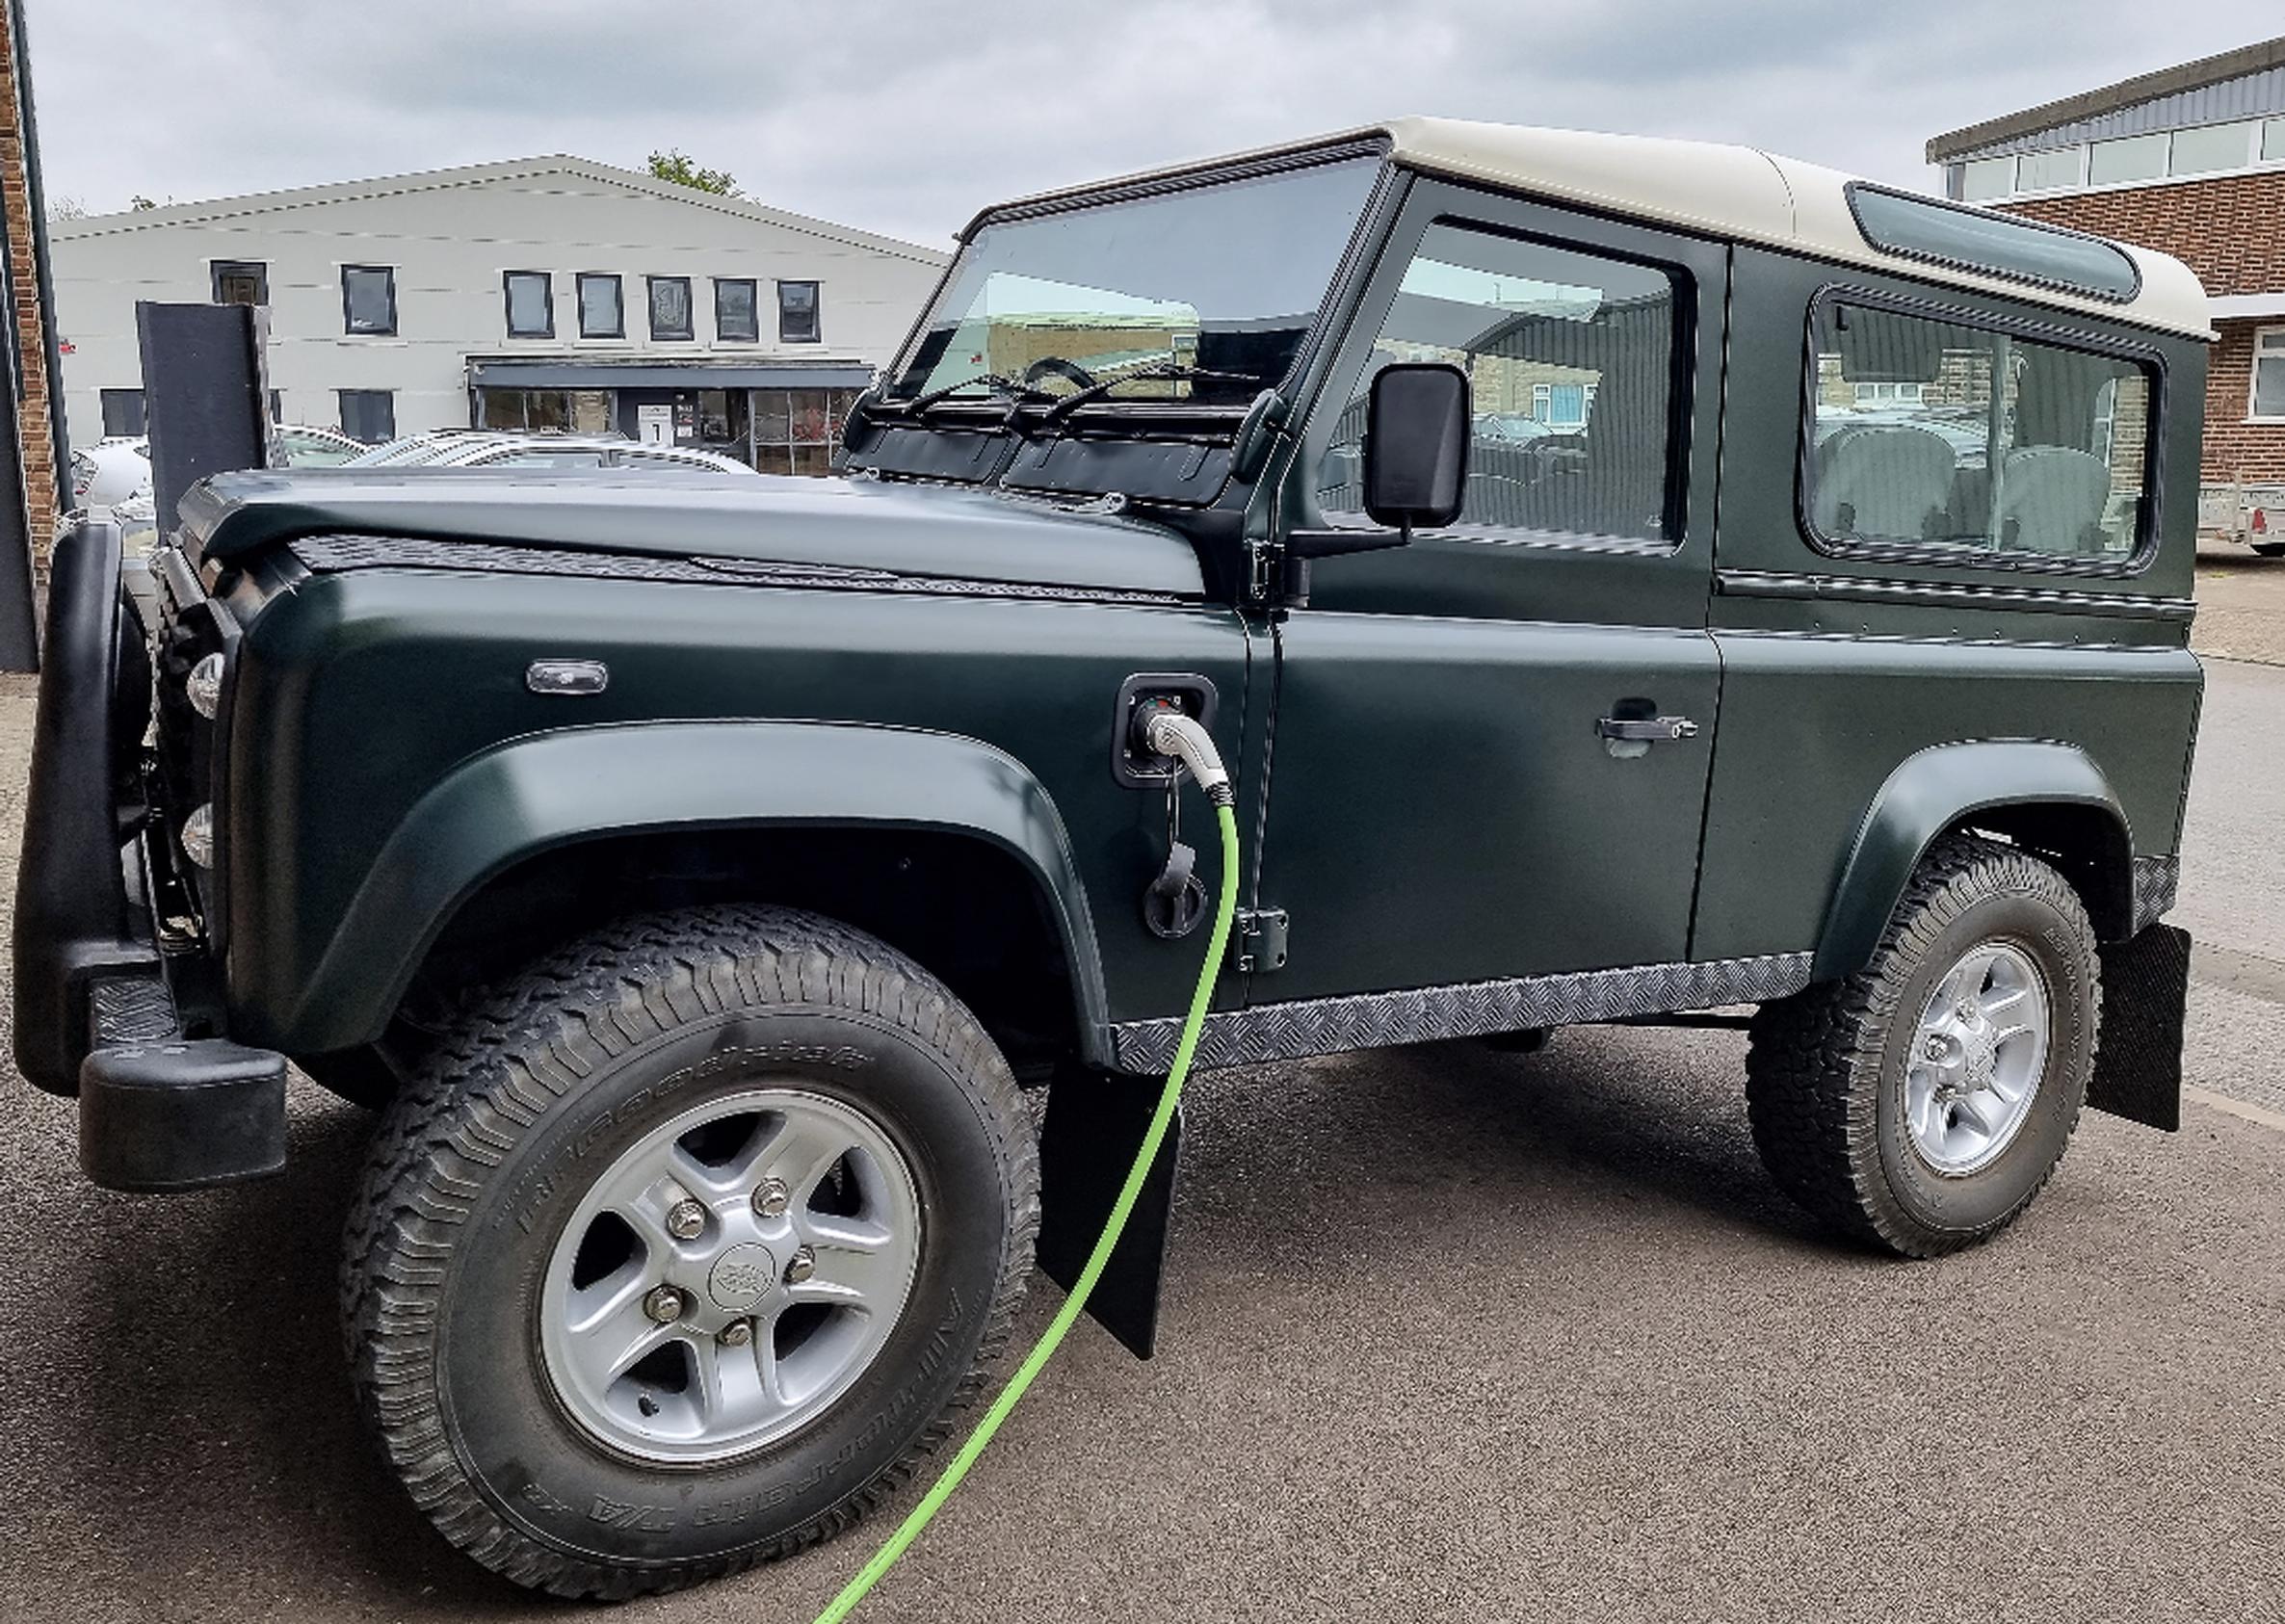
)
(1843, 666)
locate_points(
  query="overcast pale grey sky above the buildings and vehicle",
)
(908, 115)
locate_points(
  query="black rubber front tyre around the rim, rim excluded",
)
(486, 1157)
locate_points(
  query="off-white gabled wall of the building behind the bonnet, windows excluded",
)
(451, 236)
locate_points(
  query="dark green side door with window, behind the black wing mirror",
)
(1445, 805)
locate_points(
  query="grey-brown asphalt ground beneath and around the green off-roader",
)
(1450, 1335)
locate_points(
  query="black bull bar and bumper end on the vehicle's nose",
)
(104, 1008)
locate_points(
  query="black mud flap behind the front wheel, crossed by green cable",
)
(1093, 1129)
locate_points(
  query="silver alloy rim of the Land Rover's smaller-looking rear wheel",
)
(1980, 1054)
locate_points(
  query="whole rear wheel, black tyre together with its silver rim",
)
(1921, 1104)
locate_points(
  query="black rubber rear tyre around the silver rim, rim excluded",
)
(1827, 1072)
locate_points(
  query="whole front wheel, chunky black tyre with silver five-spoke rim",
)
(687, 1248)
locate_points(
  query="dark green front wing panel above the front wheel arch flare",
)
(360, 693)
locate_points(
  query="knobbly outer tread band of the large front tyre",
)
(527, 1045)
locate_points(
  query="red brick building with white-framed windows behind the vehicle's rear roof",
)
(2188, 161)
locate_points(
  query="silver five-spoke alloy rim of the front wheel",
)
(755, 1349)
